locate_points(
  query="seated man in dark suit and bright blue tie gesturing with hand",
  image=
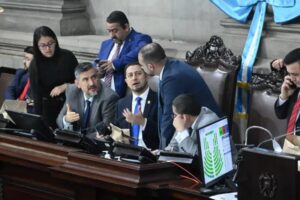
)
(146, 115)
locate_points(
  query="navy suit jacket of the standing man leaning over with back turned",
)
(179, 78)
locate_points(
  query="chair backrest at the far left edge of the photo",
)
(6, 76)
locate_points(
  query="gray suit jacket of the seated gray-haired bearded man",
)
(102, 107)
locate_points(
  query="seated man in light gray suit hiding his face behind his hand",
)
(188, 116)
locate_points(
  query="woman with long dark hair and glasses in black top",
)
(50, 72)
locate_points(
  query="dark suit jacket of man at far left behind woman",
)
(16, 87)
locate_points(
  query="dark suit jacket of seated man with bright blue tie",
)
(150, 133)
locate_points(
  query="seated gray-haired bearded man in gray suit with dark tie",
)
(89, 106)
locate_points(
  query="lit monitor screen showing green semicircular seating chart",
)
(214, 151)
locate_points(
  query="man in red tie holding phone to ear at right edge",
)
(288, 102)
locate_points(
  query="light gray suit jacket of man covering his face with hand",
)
(190, 144)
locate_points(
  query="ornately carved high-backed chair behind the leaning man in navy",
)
(218, 67)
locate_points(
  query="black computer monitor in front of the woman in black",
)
(33, 124)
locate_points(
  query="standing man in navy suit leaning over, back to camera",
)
(176, 78)
